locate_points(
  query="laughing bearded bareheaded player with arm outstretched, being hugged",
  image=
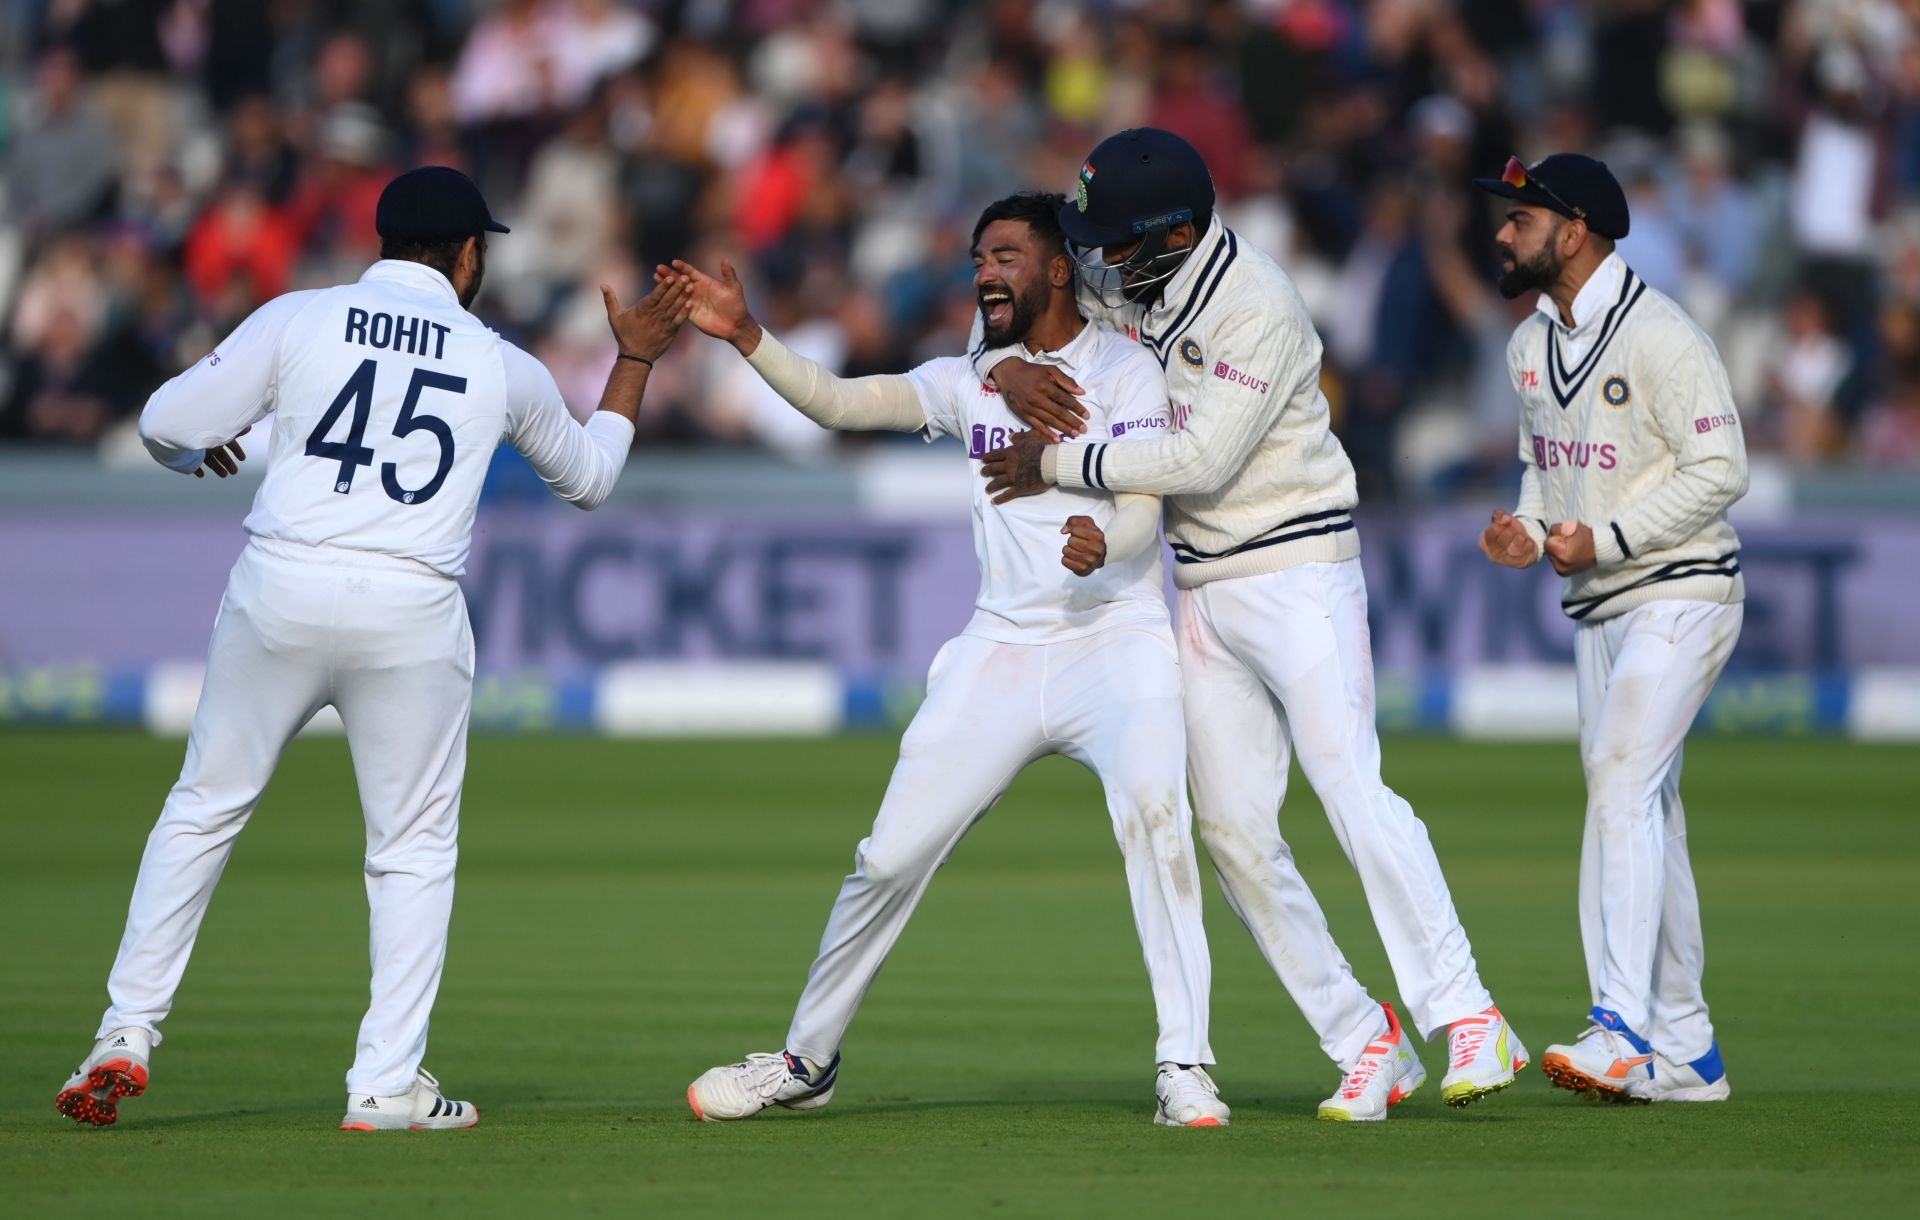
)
(1061, 662)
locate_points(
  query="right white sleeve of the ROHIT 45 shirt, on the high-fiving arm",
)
(579, 462)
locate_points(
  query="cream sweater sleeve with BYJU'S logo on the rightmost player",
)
(1696, 418)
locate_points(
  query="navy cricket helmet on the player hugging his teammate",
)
(1134, 183)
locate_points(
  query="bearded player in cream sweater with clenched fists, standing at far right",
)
(1631, 456)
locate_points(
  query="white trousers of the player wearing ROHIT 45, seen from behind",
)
(387, 643)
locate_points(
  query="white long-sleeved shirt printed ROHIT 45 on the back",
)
(389, 403)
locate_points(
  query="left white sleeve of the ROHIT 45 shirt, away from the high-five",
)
(222, 395)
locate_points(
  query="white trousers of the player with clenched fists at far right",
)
(1644, 677)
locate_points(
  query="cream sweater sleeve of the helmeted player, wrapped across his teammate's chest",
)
(1274, 356)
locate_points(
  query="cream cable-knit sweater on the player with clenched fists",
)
(1629, 427)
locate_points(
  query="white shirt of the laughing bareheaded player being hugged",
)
(1026, 597)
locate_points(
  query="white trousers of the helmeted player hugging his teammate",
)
(1284, 664)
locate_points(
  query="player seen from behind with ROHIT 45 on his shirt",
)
(389, 403)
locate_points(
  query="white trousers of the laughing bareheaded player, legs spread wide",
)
(1111, 702)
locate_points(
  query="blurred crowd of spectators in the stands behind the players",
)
(170, 164)
